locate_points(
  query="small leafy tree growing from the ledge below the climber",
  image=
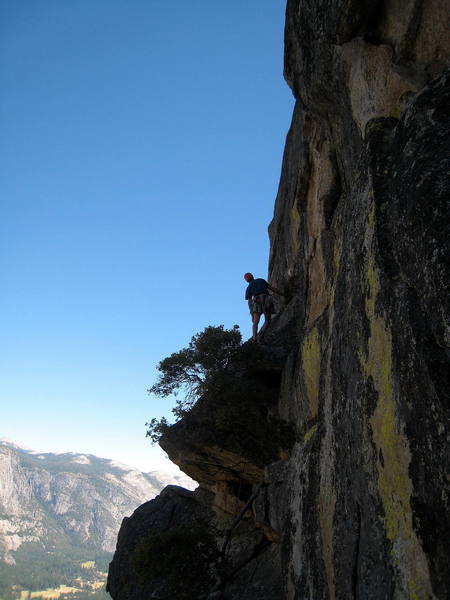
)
(191, 370)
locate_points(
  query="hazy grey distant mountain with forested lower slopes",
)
(60, 515)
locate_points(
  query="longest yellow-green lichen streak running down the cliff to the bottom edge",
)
(394, 484)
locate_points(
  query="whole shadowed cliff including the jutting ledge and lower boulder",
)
(352, 499)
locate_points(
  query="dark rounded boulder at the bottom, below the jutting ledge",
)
(171, 539)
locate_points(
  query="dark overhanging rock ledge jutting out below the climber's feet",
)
(234, 430)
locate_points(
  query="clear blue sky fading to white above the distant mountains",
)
(140, 155)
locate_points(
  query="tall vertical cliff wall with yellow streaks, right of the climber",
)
(361, 230)
